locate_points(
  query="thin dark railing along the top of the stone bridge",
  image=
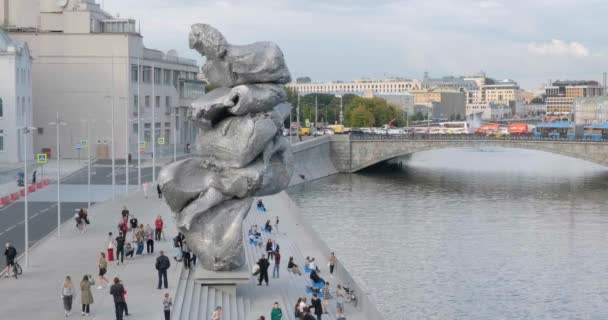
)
(426, 136)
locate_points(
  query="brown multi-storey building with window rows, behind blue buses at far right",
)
(561, 94)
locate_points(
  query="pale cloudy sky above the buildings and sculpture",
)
(530, 41)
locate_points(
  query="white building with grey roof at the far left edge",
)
(15, 99)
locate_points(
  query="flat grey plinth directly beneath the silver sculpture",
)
(224, 280)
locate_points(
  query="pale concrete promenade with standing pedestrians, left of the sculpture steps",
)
(36, 294)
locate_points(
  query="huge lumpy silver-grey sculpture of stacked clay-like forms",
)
(240, 152)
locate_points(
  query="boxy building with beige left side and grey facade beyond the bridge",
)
(444, 104)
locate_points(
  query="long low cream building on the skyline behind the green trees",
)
(392, 85)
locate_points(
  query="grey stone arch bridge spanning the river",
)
(351, 153)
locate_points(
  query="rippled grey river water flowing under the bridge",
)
(471, 234)
